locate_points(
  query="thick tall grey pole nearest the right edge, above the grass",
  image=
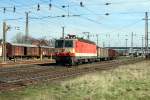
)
(146, 34)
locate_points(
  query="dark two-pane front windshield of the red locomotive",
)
(64, 43)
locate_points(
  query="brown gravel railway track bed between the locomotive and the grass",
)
(17, 79)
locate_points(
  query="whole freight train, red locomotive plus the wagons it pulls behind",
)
(74, 50)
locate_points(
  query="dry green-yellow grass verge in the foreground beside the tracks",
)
(128, 82)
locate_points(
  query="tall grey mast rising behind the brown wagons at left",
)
(27, 27)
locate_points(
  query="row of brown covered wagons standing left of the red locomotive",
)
(28, 51)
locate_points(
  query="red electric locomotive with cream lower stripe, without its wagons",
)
(74, 50)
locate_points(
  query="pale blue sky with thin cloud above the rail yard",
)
(125, 17)
